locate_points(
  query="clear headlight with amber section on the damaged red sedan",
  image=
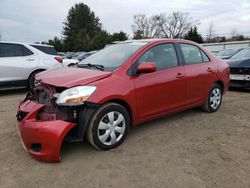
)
(75, 96)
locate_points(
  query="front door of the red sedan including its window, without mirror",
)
(163, 90)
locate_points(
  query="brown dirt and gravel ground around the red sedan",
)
(189, 149)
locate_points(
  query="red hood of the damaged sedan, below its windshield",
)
(69, 77)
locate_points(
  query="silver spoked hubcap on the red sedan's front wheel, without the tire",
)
(111, 128)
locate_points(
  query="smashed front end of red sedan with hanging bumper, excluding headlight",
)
(43, 125)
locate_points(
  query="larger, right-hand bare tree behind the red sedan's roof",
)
(176, 25)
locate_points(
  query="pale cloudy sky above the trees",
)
(40, 20)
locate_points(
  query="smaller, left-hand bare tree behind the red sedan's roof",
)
(145, 27)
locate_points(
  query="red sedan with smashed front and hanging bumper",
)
(120, 86)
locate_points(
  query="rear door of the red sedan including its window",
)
(200, 73)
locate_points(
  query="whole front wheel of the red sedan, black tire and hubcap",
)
(103, 133)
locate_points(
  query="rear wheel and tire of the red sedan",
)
(214, 99)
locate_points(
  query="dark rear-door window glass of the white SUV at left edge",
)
(13, 50)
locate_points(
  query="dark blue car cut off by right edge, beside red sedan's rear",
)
(240, 69)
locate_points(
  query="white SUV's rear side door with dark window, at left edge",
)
(16, 62)
